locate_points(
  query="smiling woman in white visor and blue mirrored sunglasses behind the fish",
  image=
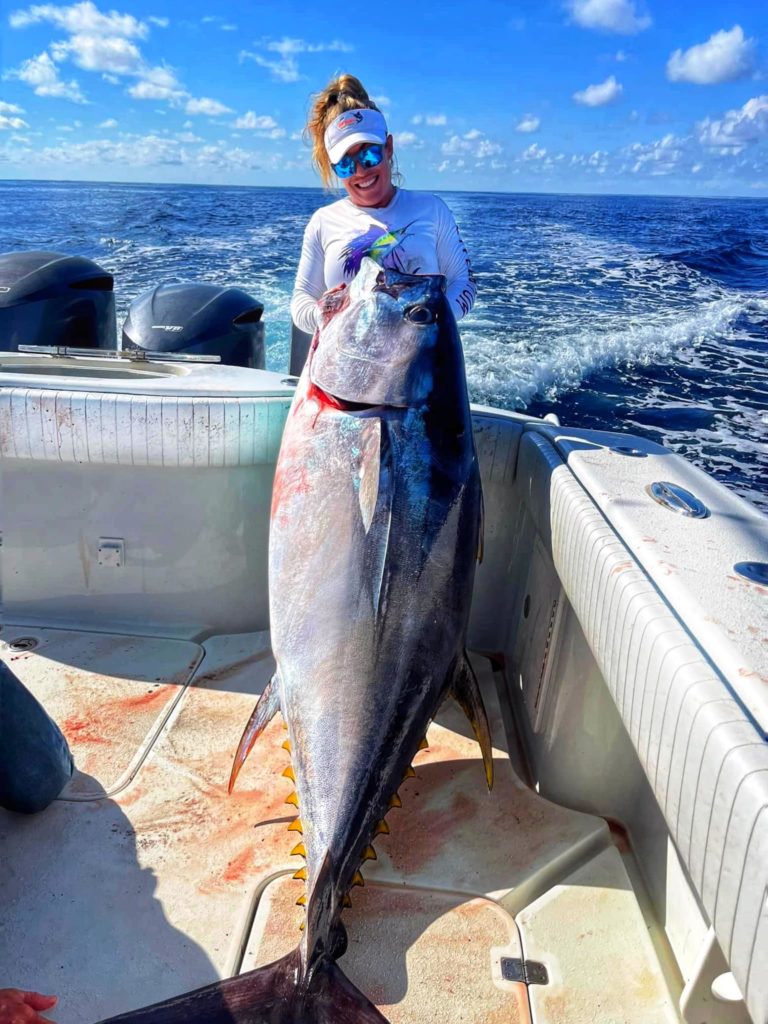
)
(410, 232)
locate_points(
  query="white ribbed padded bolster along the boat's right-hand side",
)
(705, 759)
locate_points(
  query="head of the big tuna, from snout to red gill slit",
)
(381, 338)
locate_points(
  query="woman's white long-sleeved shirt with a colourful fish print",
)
(415, 234)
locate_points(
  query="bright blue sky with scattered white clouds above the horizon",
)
(570, 96)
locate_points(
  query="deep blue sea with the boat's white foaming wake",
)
(649, 315)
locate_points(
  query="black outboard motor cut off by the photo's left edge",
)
(53, 300)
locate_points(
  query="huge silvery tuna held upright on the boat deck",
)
(375, 533)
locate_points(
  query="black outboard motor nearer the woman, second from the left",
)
(198, 320)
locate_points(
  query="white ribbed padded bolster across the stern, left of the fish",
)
(140, 431)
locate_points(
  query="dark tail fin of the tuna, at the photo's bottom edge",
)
(274, 995)
